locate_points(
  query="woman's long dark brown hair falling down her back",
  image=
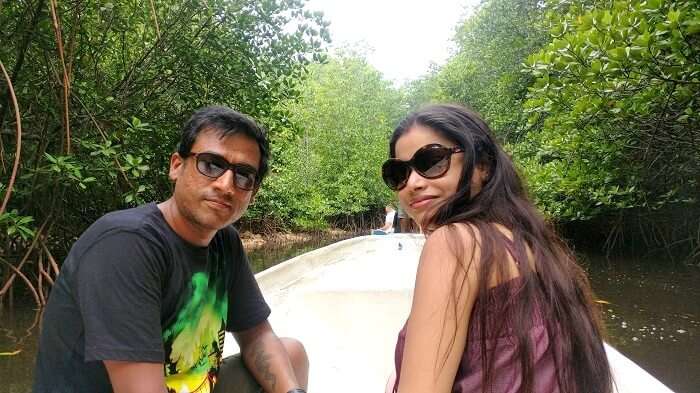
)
(557, 287)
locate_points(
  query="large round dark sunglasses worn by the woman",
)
(430, 161)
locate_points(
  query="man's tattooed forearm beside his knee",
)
(269, 363)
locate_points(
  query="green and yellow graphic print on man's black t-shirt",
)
(194, 342)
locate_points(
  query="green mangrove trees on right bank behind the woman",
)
(597, 101)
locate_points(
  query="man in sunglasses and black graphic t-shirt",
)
(145, 294)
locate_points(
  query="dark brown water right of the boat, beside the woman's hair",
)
(653, 316)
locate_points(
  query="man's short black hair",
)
(226, 122)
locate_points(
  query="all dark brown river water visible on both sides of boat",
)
(652, 316)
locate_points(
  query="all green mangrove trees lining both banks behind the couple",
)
(597, 100)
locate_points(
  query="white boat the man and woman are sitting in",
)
(347, 302)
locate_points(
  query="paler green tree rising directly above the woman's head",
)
(485, 74)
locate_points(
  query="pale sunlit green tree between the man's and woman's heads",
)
(328, 166)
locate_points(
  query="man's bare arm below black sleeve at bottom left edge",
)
(133, 377)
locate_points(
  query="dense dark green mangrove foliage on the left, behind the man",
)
(124, 64)
